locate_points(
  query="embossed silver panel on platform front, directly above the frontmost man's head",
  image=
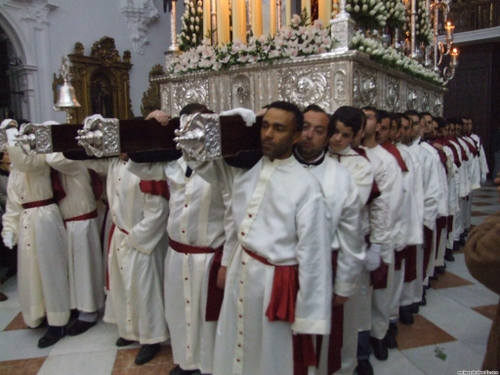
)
(305, 86)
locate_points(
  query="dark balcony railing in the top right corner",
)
(469, 15)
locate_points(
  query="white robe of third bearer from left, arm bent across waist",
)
(135, 260)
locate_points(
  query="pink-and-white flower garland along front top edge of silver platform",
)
(299, 39)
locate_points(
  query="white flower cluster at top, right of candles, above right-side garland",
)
(368, 14)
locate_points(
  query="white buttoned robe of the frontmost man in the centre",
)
(278, 211)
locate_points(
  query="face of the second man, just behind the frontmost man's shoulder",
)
(314, 136)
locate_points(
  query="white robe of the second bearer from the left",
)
(86, 279)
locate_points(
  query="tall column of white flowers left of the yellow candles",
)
(192, 25)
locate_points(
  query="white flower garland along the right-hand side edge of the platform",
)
(393, 58)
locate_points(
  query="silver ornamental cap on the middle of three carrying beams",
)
(100, 136)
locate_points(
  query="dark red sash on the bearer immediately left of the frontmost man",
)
(215, 295)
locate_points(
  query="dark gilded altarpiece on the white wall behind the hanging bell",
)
(101, 81)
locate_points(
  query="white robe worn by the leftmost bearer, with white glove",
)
(41, 239)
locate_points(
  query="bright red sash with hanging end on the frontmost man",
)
(282, 307)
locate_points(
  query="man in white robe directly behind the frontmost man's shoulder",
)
(337, 356)
